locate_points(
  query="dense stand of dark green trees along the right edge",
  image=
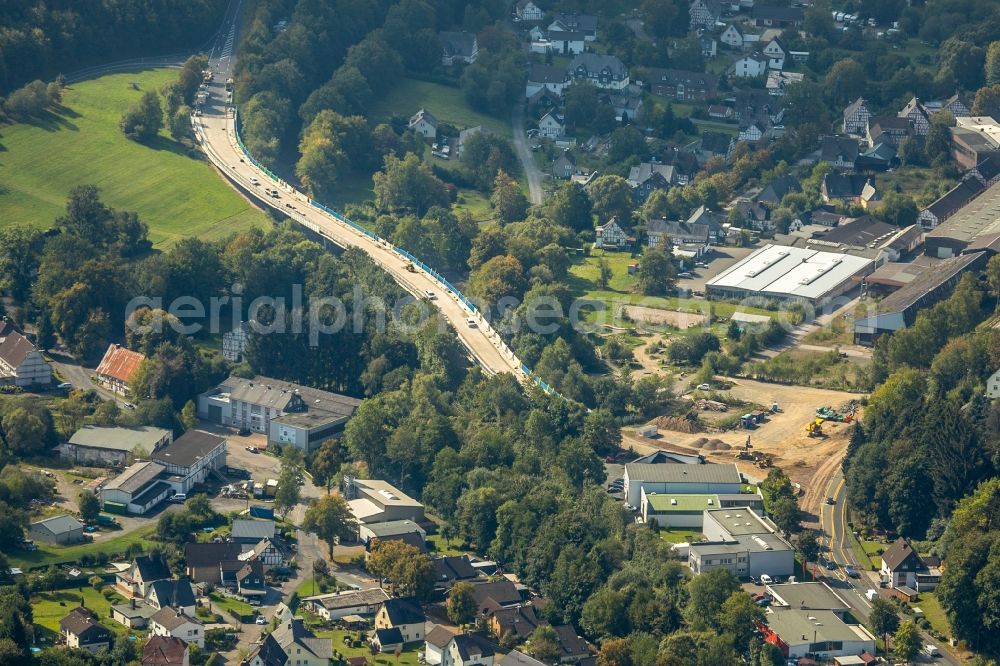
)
(924, 462)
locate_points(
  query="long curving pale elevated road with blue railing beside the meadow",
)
(216, 131)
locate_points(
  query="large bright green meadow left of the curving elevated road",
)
(176, 195)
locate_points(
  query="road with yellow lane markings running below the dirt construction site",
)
(833, 519)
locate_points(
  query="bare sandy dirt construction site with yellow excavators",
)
(808, 461)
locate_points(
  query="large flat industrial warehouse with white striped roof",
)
(790, 273)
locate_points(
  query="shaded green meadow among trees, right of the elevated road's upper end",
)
(446, 103)
